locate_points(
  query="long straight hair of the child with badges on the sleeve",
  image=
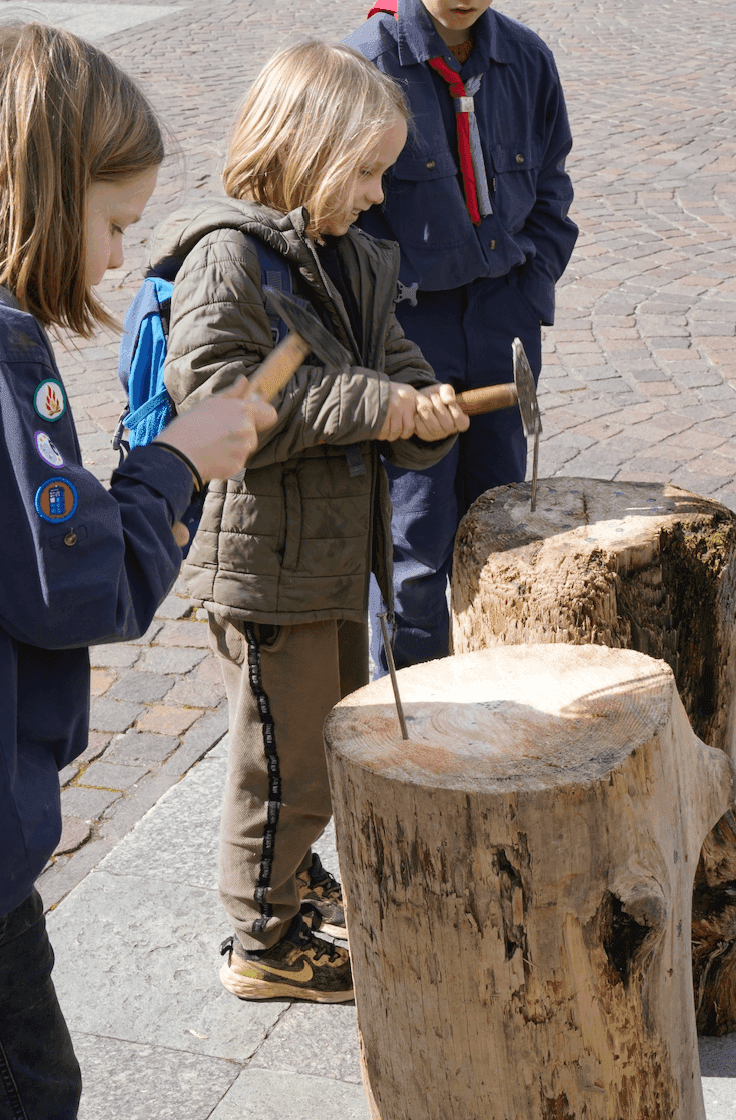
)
(69, 117)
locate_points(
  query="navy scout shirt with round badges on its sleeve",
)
(79, 565)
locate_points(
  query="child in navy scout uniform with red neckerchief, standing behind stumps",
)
(478, 202)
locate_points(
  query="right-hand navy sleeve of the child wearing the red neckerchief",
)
(548, 227)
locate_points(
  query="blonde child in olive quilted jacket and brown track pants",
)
(285, 550)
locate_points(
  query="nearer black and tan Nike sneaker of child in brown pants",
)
(299, 967)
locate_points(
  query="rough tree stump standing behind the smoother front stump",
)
(638, 566)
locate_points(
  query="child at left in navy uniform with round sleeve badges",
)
(79, 156)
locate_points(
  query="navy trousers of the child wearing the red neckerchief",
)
(467, 335)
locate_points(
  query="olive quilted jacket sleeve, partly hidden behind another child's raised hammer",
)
(220, 330)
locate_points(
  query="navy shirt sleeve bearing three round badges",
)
(81, 565)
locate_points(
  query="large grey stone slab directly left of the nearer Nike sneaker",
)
(151, 960)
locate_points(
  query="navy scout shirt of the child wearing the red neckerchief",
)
(525, 136)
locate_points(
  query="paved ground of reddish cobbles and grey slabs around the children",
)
(639, 384)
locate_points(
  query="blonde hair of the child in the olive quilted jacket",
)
(315, 114)
